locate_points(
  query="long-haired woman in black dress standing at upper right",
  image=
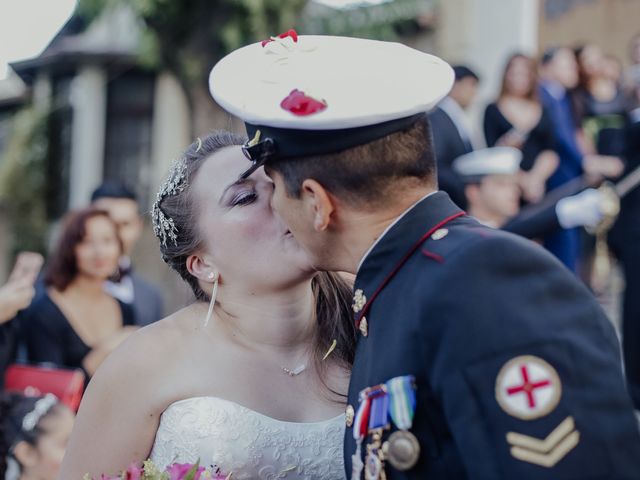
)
(517, 119)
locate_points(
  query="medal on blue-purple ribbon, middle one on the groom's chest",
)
(378, 422)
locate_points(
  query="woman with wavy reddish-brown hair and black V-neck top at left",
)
(76, 324)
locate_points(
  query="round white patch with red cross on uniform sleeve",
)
(527, 387)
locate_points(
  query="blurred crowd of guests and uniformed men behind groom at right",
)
(561, 127)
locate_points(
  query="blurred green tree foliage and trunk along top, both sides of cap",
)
(187, 37)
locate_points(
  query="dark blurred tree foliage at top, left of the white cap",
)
(187, 37)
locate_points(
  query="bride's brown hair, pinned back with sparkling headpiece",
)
(176, 227)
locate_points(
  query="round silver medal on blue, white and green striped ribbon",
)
(402, 449)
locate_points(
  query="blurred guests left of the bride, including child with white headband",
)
(68, 318)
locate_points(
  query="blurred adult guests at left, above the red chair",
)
(89, 297)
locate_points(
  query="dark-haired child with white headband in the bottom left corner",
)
(34, 432)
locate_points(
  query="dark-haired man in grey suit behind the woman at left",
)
(127, 286)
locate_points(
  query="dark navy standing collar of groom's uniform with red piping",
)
(400, 237)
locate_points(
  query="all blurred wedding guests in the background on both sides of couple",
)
(561, 125)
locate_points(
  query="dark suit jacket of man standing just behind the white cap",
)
(448, 145)
